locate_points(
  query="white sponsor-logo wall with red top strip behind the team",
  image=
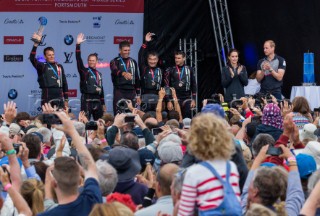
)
(105, 24)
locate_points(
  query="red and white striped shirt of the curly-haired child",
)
(202, 189)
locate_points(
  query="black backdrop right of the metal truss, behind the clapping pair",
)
(292, 24)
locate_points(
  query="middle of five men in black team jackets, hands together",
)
(125, 76)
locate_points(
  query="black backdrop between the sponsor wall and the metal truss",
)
(174, 19)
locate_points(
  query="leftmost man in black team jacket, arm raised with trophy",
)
(51, 76)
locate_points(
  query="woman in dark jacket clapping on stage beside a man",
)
(234, 77)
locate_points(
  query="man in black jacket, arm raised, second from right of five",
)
(151, 74)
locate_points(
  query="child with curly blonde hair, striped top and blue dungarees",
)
(210, 185)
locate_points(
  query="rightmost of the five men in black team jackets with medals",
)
(182, 78)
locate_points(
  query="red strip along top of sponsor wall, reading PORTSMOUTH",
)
(118, 6)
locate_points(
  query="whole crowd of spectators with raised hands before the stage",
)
(250, 159)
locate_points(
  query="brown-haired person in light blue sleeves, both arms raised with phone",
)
(263, 186)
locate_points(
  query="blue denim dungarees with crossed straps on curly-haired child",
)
(230, 204)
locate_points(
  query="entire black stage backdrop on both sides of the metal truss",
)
(292, 24)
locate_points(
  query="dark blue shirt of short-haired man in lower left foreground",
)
(90, 195)
